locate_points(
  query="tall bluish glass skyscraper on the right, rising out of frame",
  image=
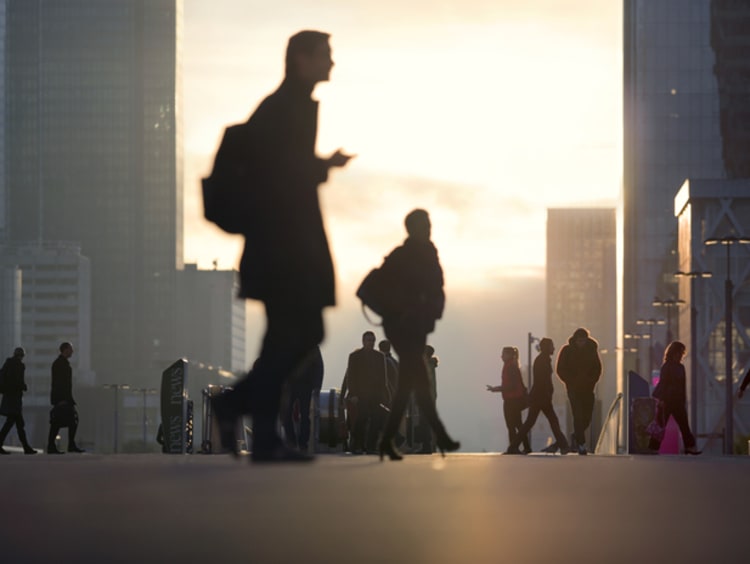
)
(673, 104)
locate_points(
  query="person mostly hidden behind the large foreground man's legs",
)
(303, 388)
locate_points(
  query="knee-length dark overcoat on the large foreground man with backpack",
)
(286, 257)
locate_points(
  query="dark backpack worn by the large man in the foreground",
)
(225, 192)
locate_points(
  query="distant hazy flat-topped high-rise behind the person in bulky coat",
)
(581, 288)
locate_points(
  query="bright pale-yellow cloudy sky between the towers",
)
(483, 112)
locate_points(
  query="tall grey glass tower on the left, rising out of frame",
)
(94, 155)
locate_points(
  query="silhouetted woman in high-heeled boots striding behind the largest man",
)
(417, 276)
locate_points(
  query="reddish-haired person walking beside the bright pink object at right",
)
(670, 391)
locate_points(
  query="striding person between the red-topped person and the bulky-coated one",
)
(540, 400)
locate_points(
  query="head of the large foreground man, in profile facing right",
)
(308, 57)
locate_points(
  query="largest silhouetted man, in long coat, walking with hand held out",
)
(286, 263)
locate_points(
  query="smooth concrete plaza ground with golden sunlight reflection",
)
(466, 508)
